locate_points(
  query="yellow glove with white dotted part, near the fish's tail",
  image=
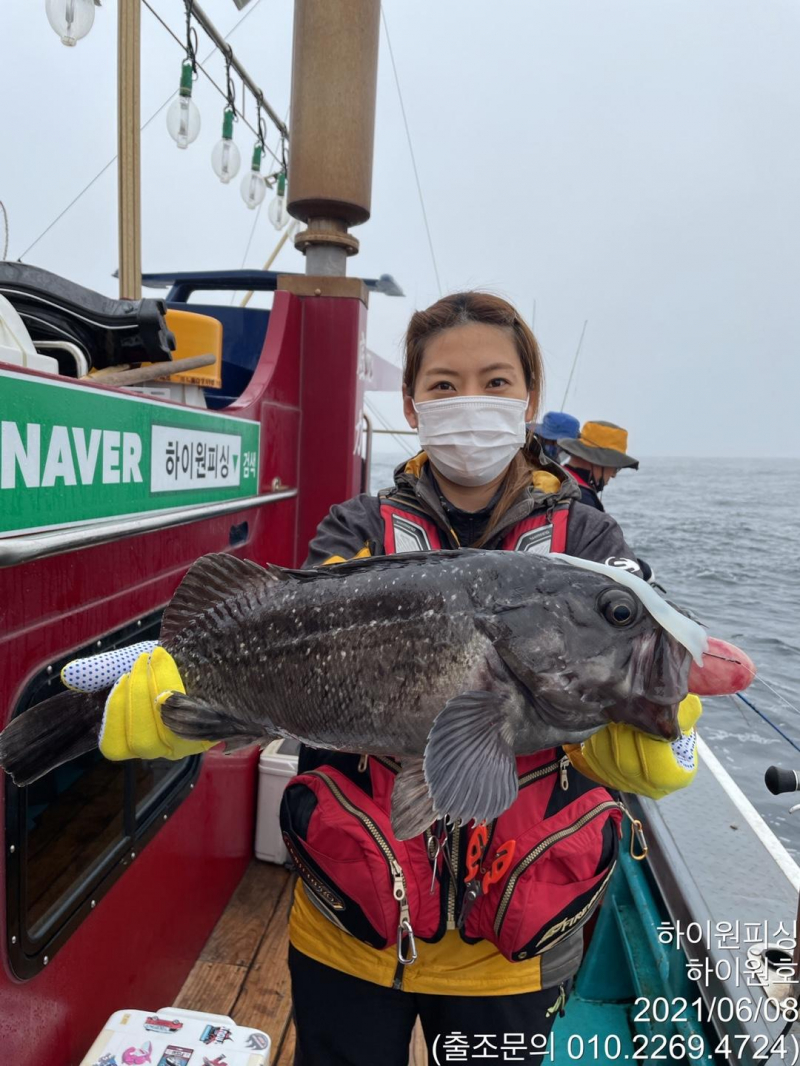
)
(132, 725)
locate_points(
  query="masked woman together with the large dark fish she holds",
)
(490, 699)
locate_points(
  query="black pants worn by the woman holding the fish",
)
(346, 1022)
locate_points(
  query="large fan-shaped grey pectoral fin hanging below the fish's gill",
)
(470, 765)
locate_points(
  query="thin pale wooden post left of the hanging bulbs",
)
(130, 207)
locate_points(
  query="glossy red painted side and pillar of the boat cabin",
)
(136, 948)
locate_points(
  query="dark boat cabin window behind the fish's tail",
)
(73, 832)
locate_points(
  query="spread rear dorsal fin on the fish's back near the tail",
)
(212, 582)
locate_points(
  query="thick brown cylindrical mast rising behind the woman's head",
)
(333, 118)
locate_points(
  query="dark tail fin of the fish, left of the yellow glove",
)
(52, 734)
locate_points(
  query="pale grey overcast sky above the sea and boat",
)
(635, 164)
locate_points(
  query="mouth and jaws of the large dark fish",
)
(658, 683)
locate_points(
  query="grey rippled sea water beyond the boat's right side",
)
(724, 539)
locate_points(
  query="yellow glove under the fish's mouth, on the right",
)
(627, 760)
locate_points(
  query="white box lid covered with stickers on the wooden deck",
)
(172, 1038)
